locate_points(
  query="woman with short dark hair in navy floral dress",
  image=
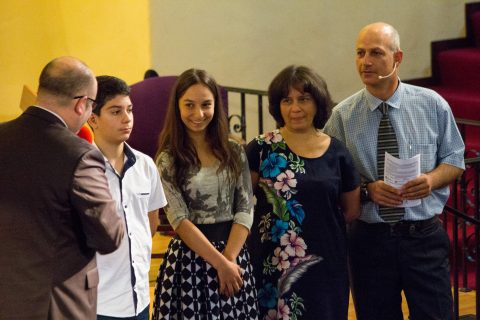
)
(307, 189)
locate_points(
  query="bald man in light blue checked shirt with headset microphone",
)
(408, 251)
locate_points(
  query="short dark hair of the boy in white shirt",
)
(108, 88)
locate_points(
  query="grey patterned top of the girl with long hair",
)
(208, 197)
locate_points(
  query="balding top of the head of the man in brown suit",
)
(65, 77)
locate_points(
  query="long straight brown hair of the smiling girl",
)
(174, 137)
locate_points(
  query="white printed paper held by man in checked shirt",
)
(399, 171)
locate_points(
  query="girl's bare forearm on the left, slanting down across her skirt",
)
(197, 242)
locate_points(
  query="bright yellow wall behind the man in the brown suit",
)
(111, 36)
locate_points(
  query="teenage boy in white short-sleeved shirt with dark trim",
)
(123, 290)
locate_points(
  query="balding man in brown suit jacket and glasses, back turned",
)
(56, 210)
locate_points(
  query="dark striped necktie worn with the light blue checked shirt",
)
(387, 142)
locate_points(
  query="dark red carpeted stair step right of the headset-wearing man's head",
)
(460, 68)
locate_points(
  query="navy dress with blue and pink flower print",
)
(298, 240)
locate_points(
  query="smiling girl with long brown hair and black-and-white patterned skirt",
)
(206, 272)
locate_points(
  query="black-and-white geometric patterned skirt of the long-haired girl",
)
(187, 287)
